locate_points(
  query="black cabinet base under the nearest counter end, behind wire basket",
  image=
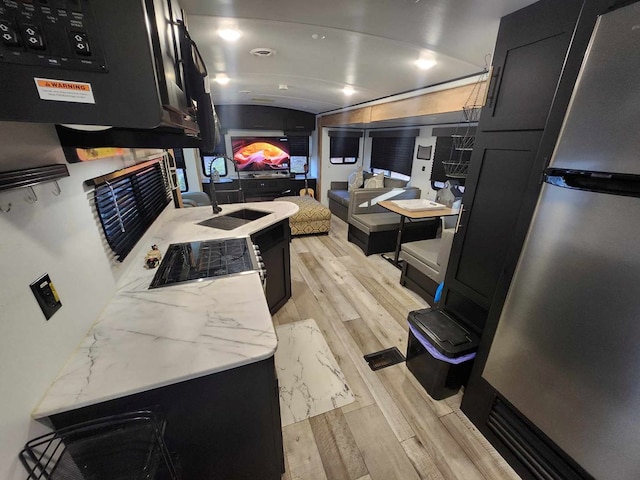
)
(224, 425)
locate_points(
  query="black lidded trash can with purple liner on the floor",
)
(440, 352)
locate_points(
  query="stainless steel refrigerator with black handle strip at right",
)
(566, 353)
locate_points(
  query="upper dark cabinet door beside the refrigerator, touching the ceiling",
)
(531, 47)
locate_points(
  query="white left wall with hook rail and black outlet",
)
(57, 235)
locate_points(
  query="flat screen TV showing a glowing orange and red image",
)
(261, 154)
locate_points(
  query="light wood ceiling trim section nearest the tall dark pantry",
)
(444, 101)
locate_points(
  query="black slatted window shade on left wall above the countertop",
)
(128, 204)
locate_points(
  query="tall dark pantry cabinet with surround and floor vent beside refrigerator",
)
(536, 61)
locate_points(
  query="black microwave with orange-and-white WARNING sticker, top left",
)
(118, 63)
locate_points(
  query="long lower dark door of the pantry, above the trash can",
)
(500, 171)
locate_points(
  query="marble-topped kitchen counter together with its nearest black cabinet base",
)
(200, 353)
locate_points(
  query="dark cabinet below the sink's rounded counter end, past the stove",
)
(273, 243)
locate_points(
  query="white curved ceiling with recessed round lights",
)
(370, 45)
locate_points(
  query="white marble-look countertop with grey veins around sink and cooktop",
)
(146, 339)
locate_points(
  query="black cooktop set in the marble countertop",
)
(191, 261)
